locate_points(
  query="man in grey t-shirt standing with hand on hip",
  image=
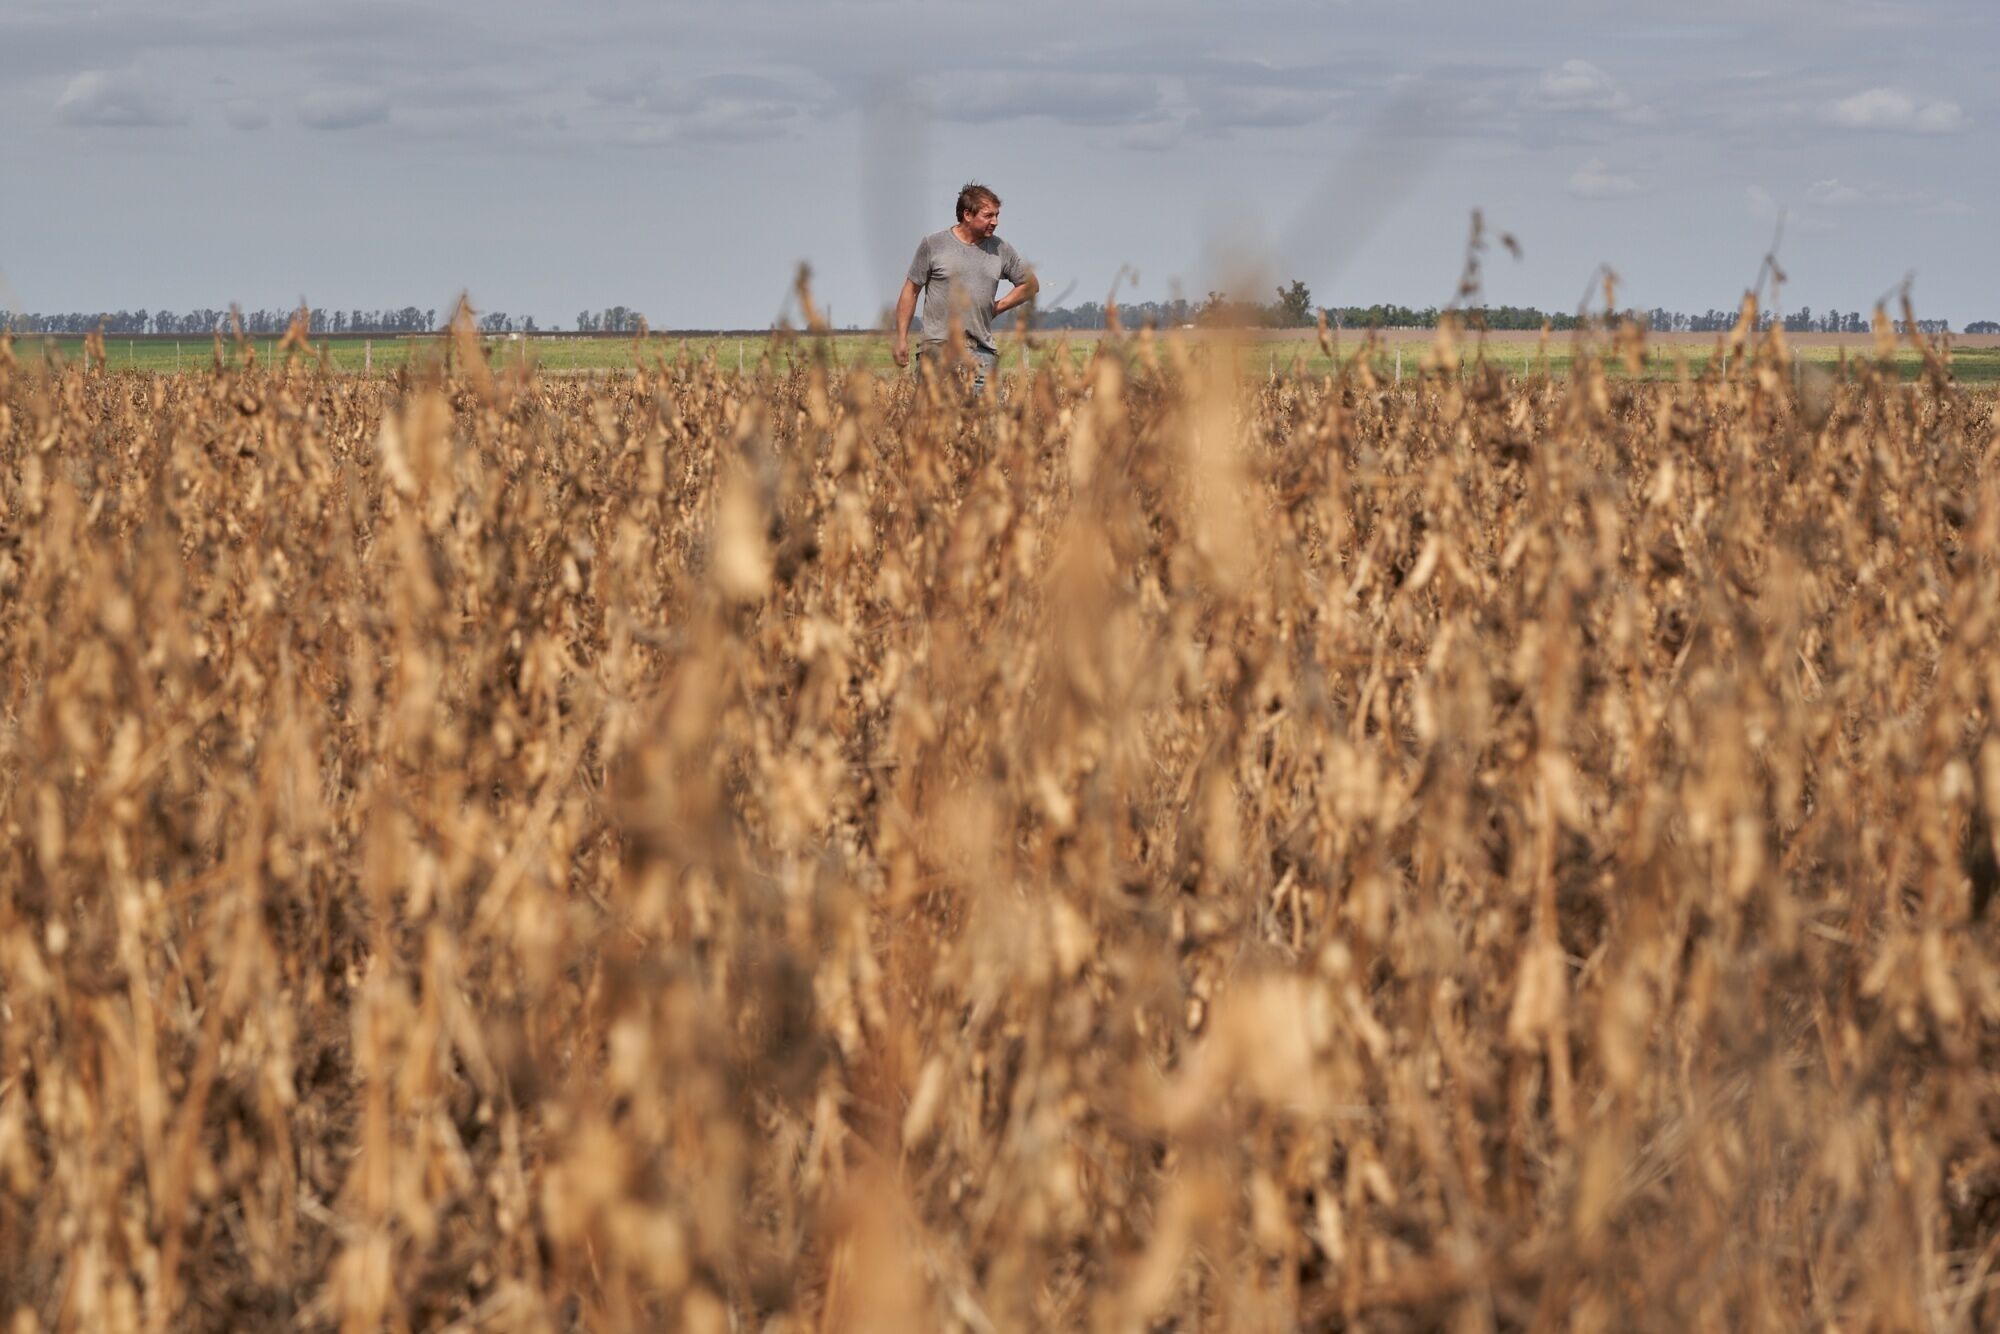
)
(959, 273)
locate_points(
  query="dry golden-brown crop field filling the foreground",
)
(795, 853)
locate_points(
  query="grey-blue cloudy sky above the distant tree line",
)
(685, 157)
